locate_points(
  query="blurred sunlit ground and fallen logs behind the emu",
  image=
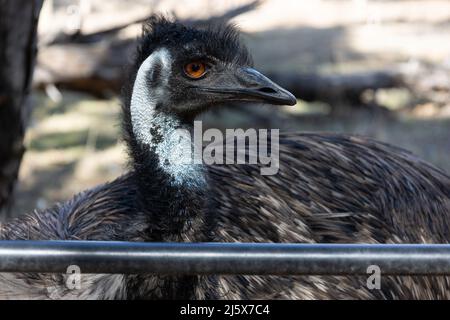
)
(370, 67)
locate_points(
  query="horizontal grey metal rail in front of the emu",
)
(223, 258)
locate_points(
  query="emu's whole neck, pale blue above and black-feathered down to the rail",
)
(172, 188)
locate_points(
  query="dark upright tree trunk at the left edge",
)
(18, 24)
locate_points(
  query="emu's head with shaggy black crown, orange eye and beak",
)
(183, 71)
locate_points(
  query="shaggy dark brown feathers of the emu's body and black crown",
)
(330, 188)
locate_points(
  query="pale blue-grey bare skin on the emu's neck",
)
(159, 132)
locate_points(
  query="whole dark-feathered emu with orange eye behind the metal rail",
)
(329, 188)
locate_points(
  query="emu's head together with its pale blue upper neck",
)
(179, 72)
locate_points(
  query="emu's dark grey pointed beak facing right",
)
(247, 84)
